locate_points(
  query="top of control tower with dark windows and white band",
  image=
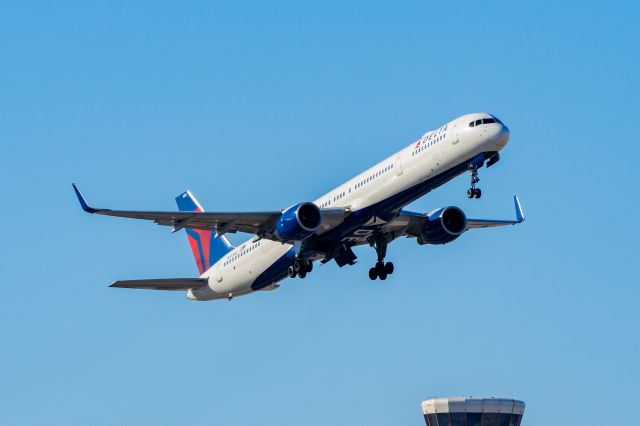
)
(464, 411)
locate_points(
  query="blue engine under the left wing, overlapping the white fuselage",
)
(298, 222)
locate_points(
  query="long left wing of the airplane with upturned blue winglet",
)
(258, 223)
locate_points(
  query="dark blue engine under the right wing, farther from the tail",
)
(443, 226)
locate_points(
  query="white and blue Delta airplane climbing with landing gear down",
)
(367, 209)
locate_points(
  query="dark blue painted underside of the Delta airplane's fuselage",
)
(386, 209)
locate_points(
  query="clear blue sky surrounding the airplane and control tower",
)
(256, 105)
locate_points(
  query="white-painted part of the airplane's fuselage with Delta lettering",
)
(436, 152)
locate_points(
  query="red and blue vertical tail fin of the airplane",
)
(207, 248)
